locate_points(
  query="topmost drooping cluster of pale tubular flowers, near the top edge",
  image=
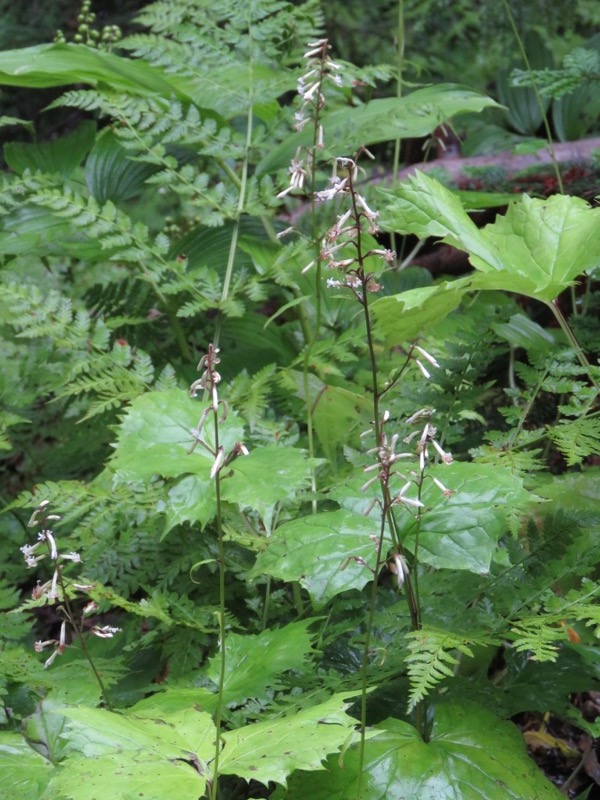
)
(319, 68)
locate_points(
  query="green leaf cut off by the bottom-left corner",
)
(23, 772)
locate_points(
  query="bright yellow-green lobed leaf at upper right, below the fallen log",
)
(536, 249)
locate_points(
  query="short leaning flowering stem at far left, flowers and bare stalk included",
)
(61, 591)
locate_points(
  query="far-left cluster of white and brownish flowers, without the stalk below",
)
(58, 589)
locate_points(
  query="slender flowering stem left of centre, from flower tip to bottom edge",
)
(216, 410)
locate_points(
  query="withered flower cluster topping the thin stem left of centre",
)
(208, 382)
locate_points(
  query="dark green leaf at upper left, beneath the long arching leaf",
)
(57, 155)
